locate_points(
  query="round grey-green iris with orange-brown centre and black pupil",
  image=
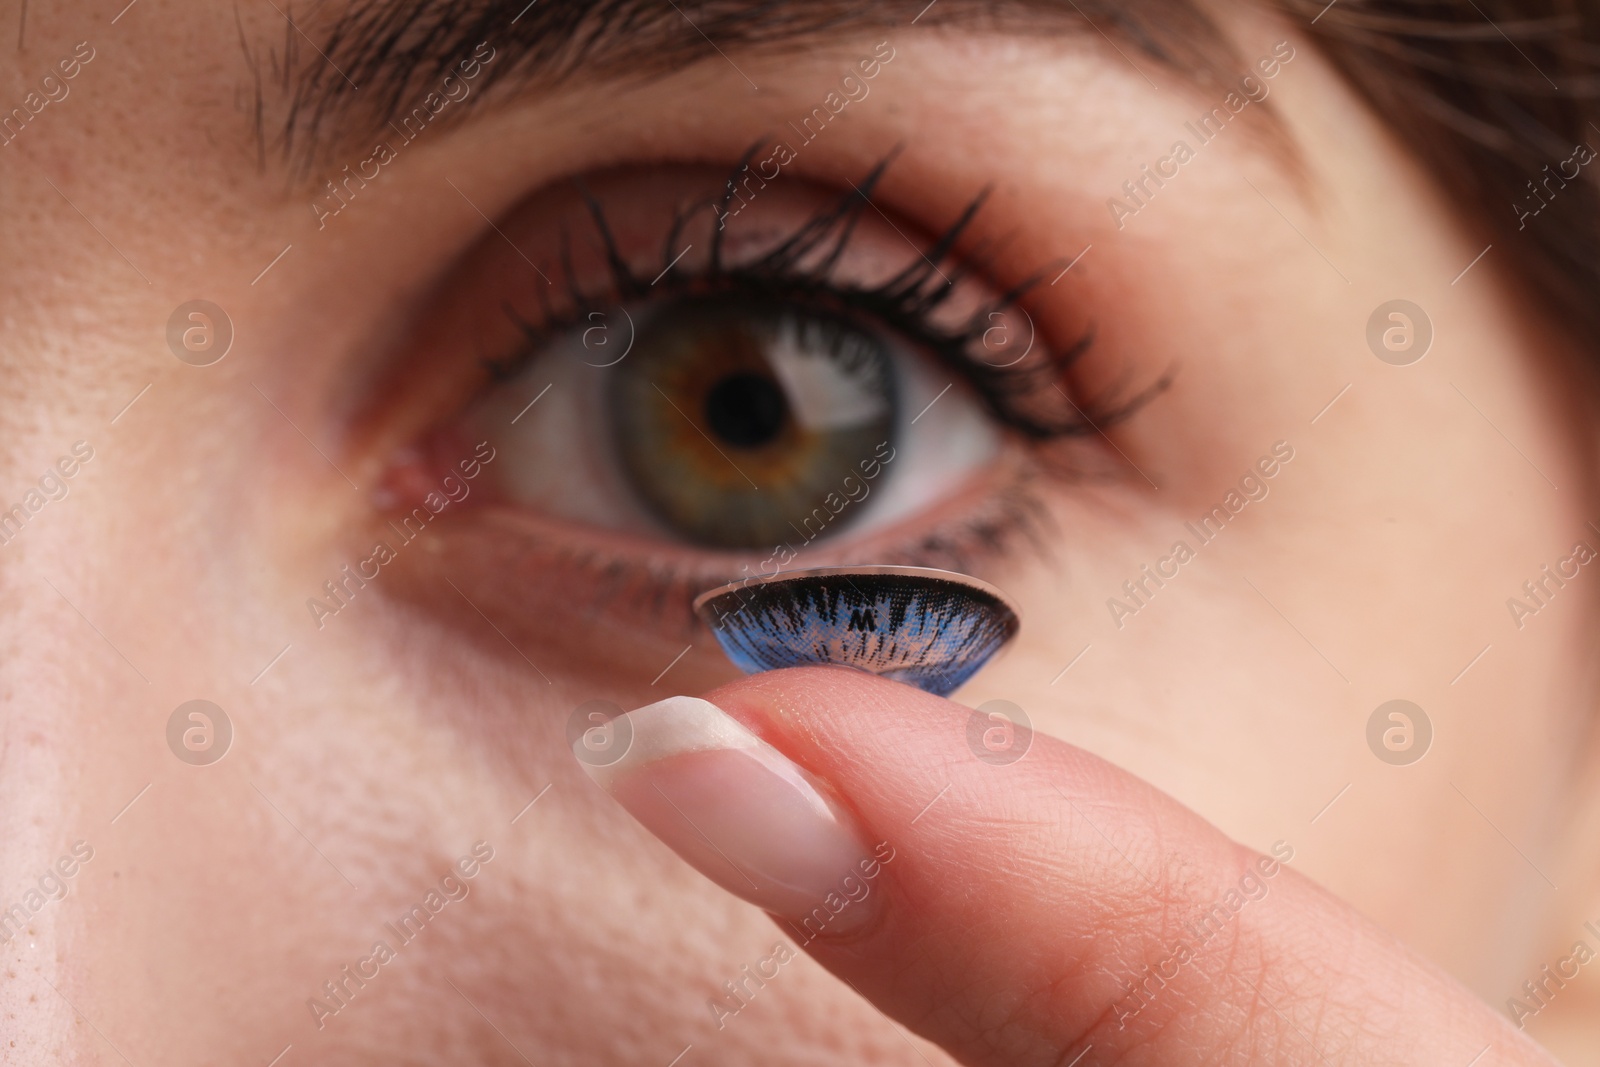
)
(735, 420)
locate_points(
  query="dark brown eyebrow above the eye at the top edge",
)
(348, 71)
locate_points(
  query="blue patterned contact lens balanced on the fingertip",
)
(921, 626)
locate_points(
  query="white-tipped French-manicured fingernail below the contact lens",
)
(742, 813)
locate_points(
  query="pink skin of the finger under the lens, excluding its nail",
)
(1017, 964)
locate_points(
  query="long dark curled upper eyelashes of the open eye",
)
(1022, 398)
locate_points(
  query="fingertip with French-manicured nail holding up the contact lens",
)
(1052, 911)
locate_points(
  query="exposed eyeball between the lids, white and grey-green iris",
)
(734, 425)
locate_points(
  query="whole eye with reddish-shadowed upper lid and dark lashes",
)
(674, 377)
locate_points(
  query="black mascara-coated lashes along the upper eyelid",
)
(988, 343)
